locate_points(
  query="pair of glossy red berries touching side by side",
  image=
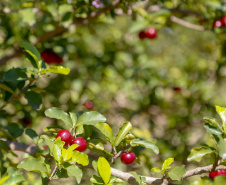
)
(66, 136)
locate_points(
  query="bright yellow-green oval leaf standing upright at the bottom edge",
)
(104, 169)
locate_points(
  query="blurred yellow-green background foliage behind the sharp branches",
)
(164, 86)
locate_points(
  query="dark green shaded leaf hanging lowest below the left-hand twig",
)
(34, 99)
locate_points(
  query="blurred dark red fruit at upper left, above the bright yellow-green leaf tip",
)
(51, 57)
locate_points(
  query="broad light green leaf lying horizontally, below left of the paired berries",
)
(33, 164)
